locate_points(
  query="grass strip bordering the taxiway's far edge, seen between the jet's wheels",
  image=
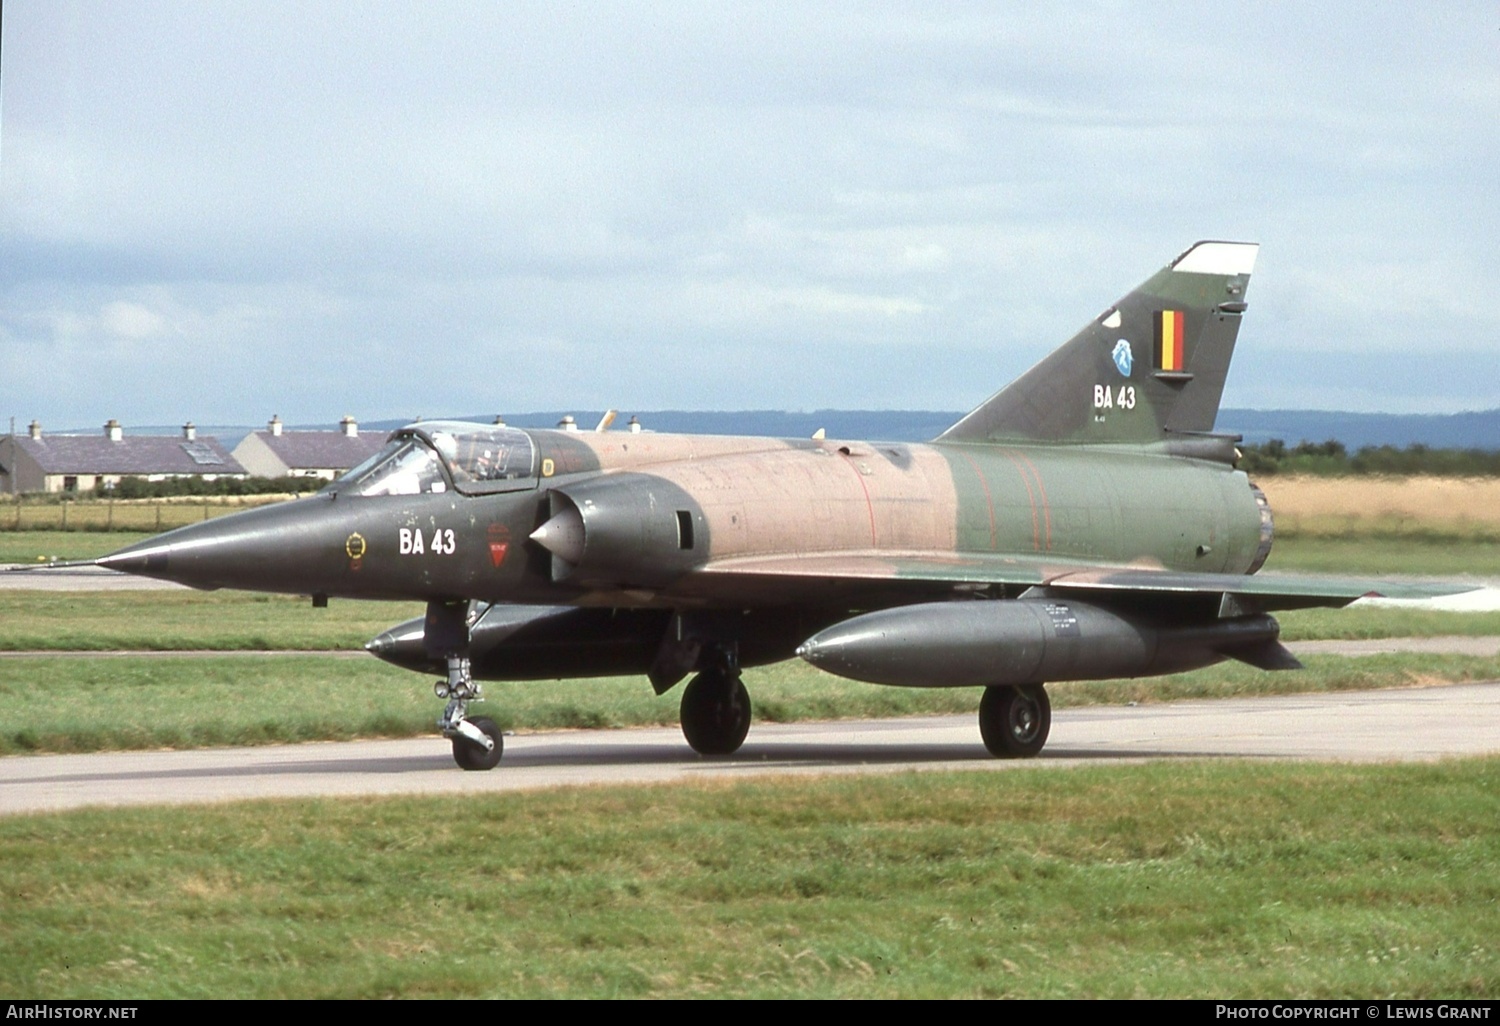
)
(89, 704)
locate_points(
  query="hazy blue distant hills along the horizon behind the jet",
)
(1439, 431)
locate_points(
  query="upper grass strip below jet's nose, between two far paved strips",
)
(188, 620)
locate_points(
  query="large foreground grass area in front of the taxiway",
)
(1174, 880)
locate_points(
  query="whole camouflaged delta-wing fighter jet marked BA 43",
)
(1085, 523)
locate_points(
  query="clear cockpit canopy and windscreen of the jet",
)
(434, 457)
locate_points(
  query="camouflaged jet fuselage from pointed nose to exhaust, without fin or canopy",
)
(659, 515)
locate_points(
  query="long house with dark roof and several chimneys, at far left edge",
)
(37, 463)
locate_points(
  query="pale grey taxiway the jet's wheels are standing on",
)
(1358, 727)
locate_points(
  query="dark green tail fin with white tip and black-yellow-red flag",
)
(1150, 367)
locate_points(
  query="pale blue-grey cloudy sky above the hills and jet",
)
(224, 211)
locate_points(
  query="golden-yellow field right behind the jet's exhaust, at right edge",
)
(1342, 506)
